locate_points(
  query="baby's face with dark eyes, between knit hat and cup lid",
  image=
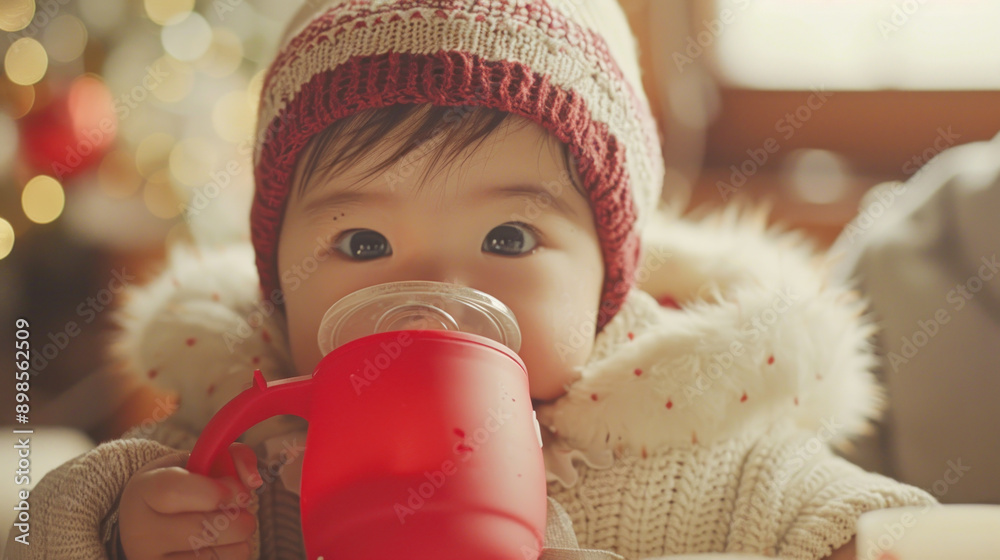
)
(462, 223)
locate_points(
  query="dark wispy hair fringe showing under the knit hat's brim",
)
(446, 130)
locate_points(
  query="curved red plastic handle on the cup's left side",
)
(253, 405)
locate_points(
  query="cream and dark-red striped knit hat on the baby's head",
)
(568, 65)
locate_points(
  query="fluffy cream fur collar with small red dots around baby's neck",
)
(685, 376)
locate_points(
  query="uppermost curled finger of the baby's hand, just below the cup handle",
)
(176, 490)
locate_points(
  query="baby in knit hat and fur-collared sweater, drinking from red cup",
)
(506, 146)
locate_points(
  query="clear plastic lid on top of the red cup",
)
(396, 306)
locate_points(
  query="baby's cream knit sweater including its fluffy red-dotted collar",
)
(700, 429)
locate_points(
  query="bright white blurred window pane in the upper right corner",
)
(836, 45)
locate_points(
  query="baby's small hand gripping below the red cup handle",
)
(165, 510)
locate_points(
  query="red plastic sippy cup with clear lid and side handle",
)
(422, 442)
